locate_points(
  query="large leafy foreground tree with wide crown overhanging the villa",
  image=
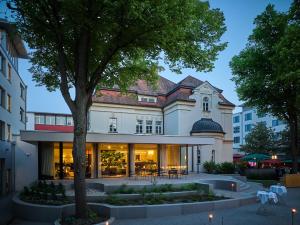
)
(86, 44)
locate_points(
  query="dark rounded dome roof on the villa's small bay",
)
(207, 126)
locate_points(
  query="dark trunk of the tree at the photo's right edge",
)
(294, 145)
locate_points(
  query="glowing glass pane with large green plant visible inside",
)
(113, 159)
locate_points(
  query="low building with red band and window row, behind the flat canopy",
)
(49, 121)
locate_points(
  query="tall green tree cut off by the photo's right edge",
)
(267, 72)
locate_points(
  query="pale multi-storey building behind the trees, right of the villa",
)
(244, 121)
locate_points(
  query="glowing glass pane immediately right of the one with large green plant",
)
(145, 159)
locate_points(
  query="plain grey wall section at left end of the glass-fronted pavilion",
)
(26, 163)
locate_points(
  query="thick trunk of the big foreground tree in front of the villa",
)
(79, 156)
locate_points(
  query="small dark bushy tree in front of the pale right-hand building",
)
(261, 139)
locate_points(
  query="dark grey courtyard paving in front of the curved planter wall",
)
(246, 215)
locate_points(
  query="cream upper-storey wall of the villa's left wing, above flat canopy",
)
(127, 116)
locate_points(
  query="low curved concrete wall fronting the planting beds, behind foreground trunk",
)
(46, 213)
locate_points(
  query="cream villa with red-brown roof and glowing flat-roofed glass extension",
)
(176, 126)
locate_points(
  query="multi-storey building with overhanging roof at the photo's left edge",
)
(12, 101)
